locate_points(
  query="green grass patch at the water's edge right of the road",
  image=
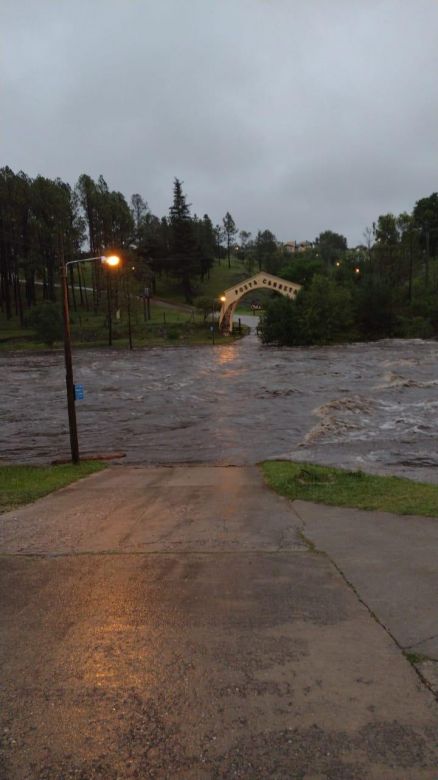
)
(338, 487)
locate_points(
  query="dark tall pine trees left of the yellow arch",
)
(45, 222)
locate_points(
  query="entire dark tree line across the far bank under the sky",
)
(387, 286)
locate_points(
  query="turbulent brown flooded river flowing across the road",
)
(369, 406)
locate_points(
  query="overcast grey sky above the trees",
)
(295, 115)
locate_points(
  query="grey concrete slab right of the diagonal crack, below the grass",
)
(390, 560)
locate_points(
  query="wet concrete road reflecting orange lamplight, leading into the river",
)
(174, 623)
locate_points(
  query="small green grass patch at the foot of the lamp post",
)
(24, 484)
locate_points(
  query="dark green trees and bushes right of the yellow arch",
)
(386, 287)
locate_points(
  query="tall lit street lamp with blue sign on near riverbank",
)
(112, 261)
